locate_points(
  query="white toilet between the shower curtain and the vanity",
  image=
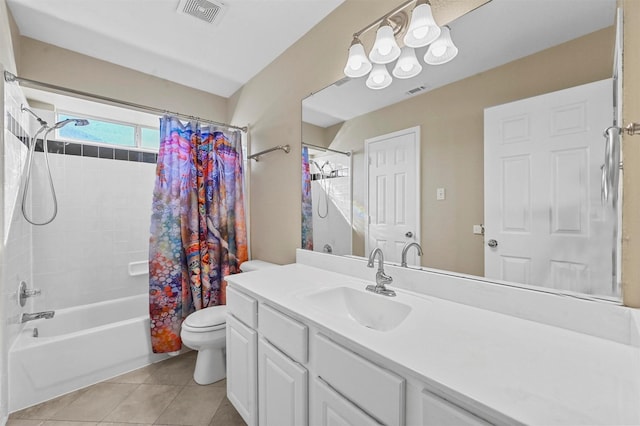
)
(204, 331)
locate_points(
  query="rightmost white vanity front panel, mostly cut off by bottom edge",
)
(440, 412)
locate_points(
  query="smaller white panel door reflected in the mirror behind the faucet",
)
(393, 188)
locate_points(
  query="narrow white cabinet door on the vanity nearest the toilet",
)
(242, 369)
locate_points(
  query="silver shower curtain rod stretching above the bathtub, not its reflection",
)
(9, 77)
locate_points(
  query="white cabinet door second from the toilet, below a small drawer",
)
(283, 394)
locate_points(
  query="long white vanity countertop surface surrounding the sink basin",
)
(531, 372)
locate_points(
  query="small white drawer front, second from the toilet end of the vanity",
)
(287, 334)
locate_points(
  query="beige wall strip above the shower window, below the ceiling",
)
(51, 64)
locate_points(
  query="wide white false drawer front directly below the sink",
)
(375, 390)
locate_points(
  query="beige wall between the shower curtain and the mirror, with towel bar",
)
(270, 102)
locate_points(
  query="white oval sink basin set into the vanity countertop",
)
(367, 309)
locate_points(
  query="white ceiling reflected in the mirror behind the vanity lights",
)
(494, 34)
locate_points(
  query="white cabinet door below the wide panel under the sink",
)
(332, 409)
